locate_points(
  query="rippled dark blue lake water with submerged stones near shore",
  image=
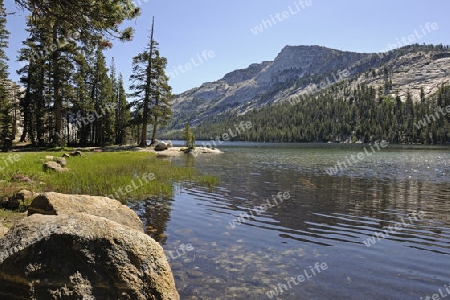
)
(278, 223)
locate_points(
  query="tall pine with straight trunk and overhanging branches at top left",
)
(85, 21)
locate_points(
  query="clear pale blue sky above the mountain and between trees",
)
(203, 40)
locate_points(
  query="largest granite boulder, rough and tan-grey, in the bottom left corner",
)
(82, 256)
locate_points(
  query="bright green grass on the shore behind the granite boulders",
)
(97, 174)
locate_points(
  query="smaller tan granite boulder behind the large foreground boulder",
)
(62, 204)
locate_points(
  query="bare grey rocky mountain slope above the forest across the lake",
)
(306, 69)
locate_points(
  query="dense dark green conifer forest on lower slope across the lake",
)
(360, 114)
